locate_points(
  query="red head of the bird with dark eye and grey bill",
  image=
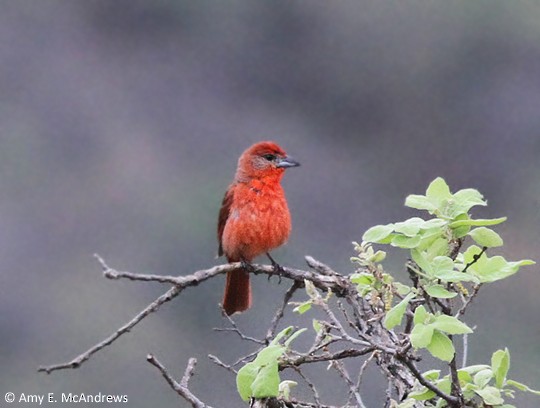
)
(264, 160)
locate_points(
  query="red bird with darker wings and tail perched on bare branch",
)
(254, 217)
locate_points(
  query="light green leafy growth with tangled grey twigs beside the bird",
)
(449, 262)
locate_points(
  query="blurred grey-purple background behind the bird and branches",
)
(120, 126)
